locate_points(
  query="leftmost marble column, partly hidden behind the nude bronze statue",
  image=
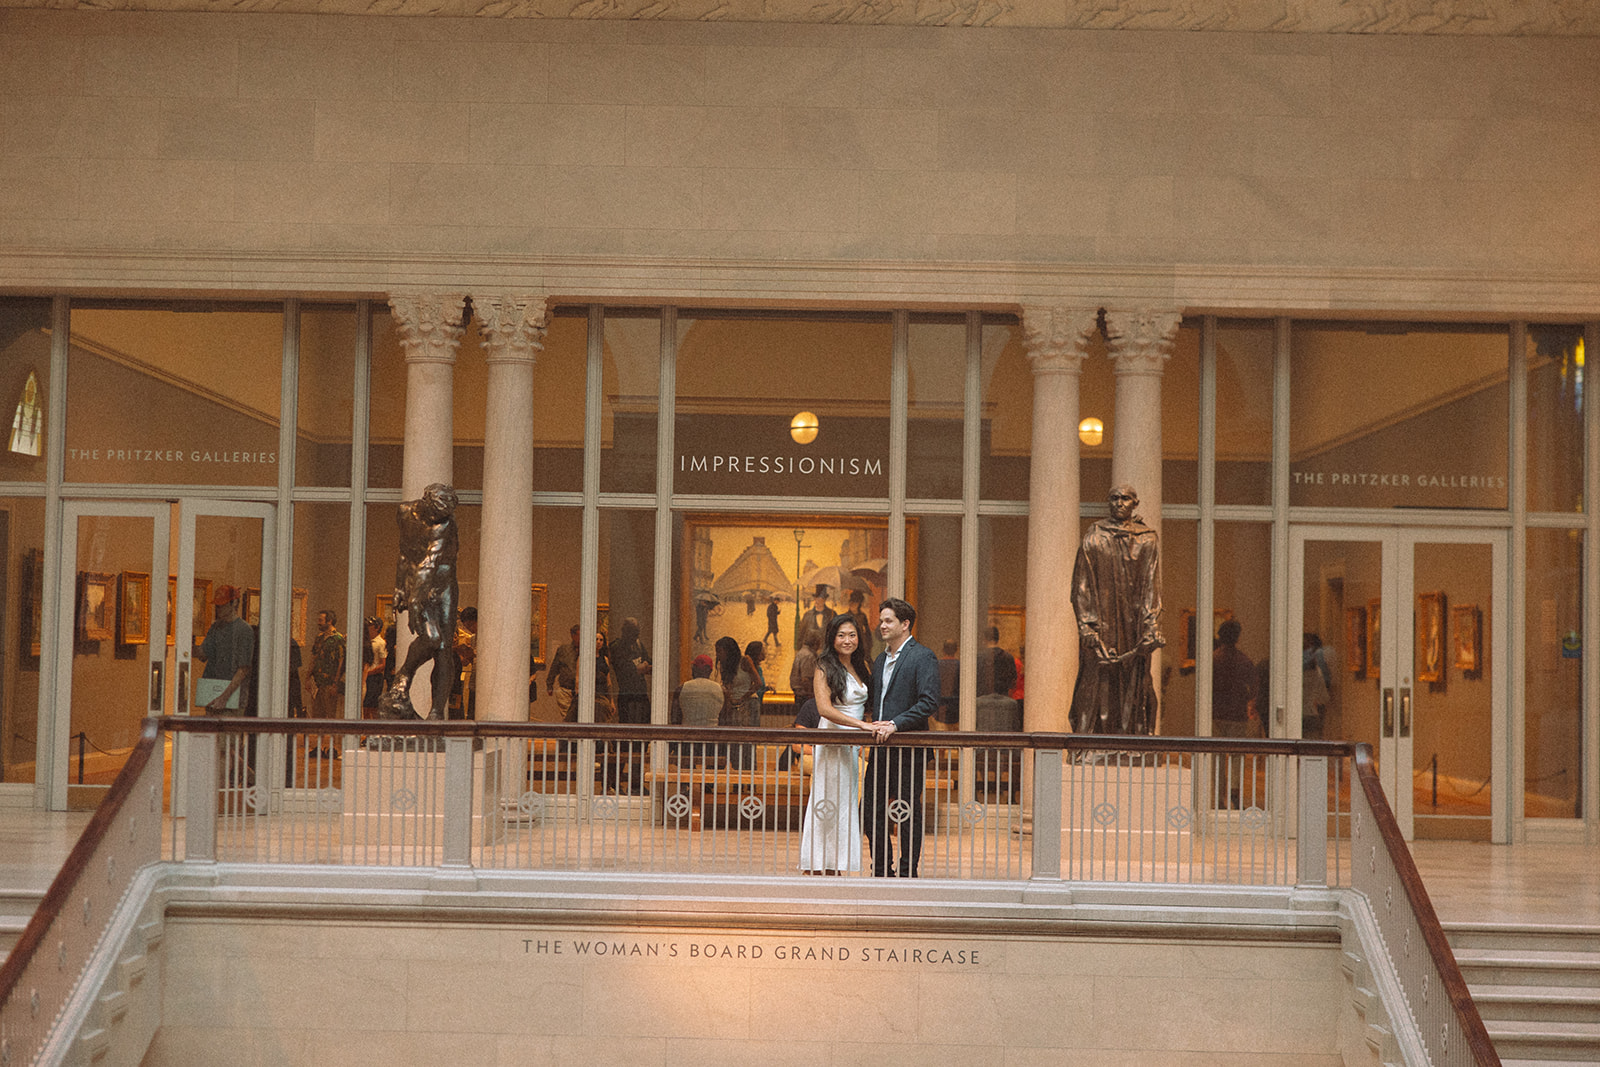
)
(430, 326)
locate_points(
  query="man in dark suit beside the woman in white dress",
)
(902, 695)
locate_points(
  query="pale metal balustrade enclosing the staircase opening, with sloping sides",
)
(663, 799)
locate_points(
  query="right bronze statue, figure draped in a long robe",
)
(1118, 594)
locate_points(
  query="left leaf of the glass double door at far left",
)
(111, 642)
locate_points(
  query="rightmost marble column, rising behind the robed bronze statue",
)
(1142, 342)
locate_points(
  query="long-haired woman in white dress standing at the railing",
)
(831, 834)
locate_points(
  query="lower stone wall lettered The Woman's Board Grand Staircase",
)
(289, 993)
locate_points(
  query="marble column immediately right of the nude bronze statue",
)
(513, 335)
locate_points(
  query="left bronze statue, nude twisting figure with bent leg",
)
(426, 591)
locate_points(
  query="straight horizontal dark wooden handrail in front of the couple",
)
(746, 735)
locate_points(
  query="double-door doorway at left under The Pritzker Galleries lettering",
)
(127, 637)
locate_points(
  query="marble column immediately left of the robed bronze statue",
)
(1057, 343)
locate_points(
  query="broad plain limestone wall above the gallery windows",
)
(326, 153)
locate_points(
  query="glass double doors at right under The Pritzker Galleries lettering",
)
(1402, 647)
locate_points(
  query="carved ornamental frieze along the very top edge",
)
(1479, 18)
